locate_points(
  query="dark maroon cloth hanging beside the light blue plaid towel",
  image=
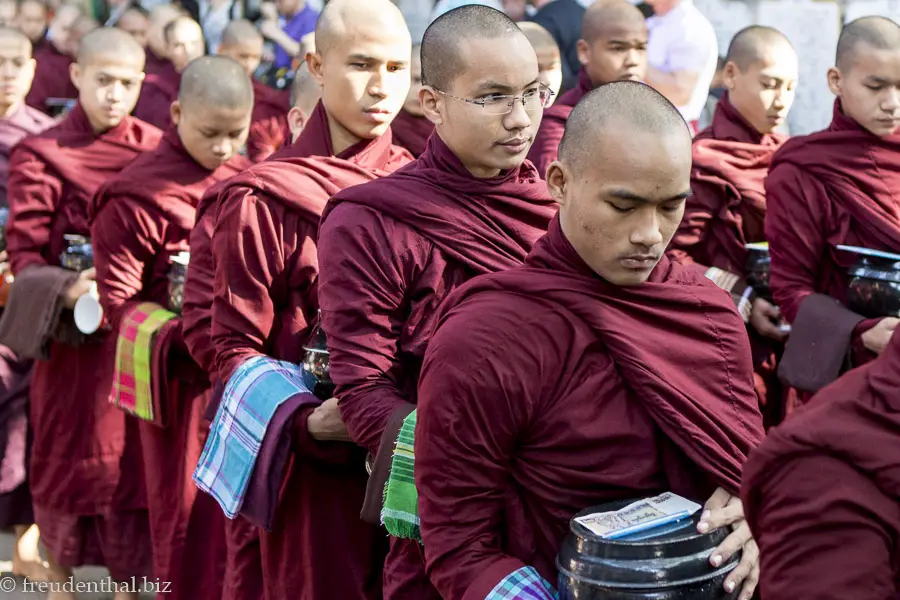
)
(269, 473)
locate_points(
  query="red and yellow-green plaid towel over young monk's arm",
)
(132, 389)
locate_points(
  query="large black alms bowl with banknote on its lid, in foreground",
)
(673, 564)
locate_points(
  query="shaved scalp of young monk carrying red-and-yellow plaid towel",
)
(215, 81)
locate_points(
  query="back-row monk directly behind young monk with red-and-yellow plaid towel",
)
(184, 43)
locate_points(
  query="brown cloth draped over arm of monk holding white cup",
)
(34, 314)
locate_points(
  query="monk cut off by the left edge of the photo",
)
(16, 121)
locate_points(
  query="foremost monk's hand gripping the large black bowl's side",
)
(723, 510)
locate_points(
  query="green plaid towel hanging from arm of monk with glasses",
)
(400, 514)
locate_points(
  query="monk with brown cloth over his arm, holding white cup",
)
(86, 473)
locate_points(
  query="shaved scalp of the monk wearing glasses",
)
(441, 58)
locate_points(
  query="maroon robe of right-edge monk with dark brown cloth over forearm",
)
(826, 189)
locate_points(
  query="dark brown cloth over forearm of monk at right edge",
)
(820, 342)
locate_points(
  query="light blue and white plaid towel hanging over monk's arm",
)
(257, 388)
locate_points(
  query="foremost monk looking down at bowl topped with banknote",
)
(587, 346)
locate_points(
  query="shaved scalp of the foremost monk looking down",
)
(618, 108)
